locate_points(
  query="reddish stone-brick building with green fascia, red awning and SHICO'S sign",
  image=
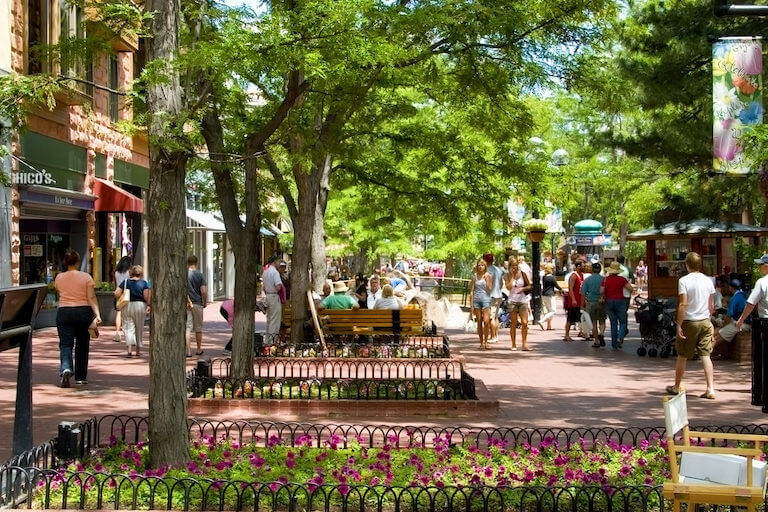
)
(76, 180)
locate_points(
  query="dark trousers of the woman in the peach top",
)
(72, 325)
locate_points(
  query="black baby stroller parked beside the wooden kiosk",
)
(656, 320)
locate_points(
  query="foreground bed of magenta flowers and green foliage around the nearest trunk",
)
(225, 474)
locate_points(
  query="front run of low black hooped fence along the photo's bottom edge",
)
(49, 489)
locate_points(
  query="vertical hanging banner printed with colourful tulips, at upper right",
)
(737, 98)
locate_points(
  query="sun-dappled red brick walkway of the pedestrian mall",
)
(557, 384)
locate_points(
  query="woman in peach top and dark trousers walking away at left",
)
(78, 313)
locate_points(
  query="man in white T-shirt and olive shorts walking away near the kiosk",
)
(695, 304)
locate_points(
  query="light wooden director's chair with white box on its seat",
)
(717, 475)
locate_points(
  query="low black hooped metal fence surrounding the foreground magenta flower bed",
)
(35, 479)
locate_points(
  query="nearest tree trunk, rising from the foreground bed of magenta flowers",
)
(168, 431)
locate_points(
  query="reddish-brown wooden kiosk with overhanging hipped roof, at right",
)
(667, 246)
